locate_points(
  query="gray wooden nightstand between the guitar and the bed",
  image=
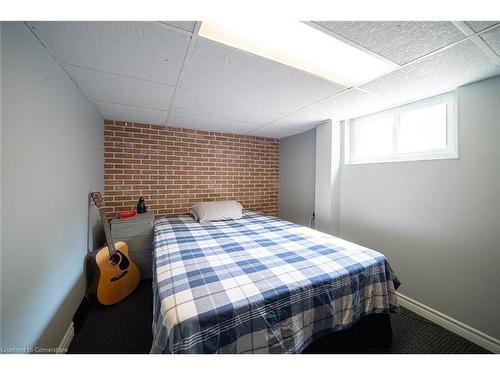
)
(137, 232)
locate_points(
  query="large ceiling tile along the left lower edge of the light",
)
(226, 71)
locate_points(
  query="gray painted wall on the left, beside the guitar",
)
(51, 158)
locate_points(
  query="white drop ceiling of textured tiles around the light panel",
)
(163, 73)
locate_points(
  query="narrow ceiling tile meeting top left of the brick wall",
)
(118, 112)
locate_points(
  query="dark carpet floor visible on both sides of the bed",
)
(126, 328)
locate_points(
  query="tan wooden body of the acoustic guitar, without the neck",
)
(115, 277)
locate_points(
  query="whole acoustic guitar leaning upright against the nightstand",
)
(113, 275)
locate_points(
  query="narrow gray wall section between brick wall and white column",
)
(297, 174)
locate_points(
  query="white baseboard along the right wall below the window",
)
(453, 325)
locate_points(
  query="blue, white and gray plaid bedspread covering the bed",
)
(259, 285)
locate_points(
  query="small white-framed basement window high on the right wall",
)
(424, 130)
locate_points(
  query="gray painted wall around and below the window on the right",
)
(438, 221)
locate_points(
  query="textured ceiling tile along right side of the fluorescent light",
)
(399, 41)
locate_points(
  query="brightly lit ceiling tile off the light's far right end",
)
(349, 104)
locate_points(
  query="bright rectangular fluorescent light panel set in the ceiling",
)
(296, 44)
